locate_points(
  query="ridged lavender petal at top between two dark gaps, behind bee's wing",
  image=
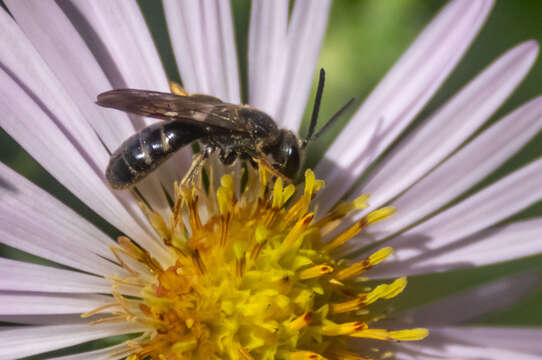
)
(204, 45)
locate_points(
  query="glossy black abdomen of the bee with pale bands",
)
(144, 151)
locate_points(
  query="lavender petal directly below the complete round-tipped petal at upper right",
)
(467, 167)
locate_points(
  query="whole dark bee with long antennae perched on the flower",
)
(232, 131)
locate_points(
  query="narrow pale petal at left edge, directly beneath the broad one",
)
(21, 276)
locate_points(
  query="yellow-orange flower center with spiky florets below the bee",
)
(254, 276)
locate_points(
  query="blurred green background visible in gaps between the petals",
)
(364, 39)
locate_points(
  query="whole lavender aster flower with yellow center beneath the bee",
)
(252, 268)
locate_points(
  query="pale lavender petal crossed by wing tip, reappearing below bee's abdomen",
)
(66, 54)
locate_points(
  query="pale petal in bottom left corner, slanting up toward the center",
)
(29, 340)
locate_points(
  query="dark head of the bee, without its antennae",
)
(287, 154)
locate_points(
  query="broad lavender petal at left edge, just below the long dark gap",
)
(35, 222)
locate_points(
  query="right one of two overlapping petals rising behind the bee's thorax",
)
(295, 71)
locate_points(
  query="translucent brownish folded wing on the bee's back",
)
(196, 109)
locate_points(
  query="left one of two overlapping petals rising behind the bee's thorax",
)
(266, 50)
